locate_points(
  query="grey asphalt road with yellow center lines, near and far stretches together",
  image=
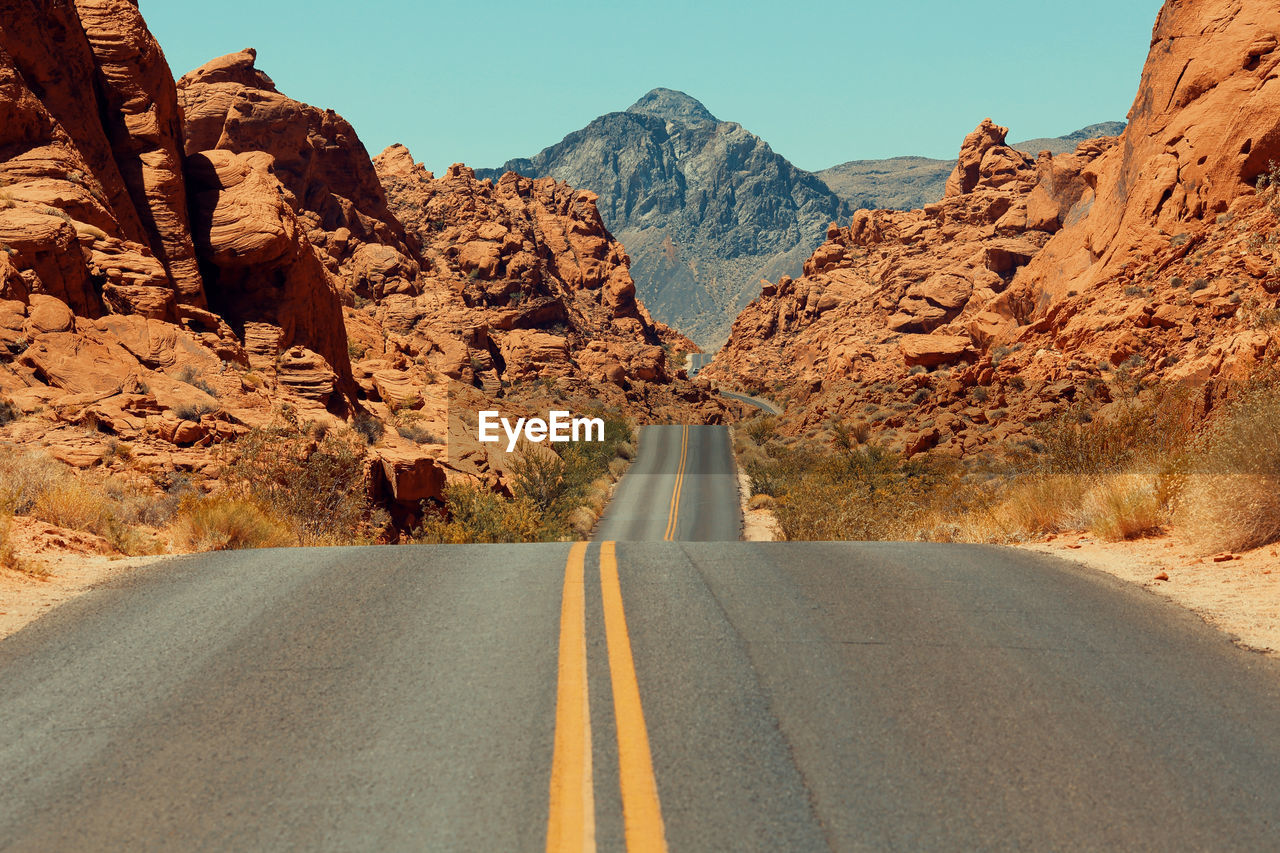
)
(702, 696)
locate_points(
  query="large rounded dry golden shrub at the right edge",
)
(1232, 496)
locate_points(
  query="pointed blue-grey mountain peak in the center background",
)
(705, 208)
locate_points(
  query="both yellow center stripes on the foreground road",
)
(572, 823)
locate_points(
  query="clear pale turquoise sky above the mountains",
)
(822, 83)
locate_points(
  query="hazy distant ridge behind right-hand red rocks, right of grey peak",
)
(906, 184)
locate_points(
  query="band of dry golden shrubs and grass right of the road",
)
(1150, 463)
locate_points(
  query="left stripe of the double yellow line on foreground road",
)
(572, 820)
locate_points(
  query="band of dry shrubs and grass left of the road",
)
(301, 483)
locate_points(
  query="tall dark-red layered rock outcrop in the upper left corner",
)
(92, 208)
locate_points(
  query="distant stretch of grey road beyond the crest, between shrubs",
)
(682, 487)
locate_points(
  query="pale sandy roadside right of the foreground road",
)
(1240, 596)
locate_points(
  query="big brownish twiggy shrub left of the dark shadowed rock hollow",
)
(313, 486)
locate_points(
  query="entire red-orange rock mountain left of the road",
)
(185, 262)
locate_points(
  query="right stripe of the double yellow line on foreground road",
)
(642, 813)
